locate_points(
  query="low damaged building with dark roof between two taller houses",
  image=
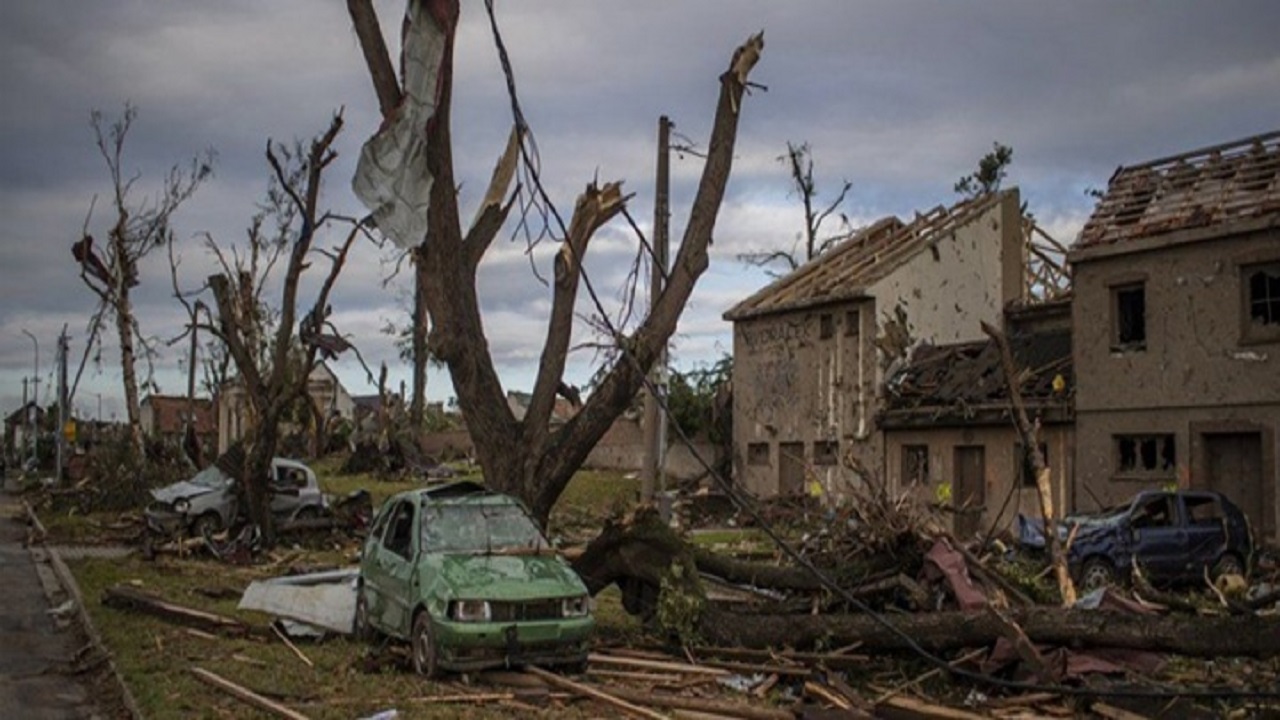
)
(949, 434)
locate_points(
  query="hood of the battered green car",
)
(509, 577)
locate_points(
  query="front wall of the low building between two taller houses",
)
(1002, 463)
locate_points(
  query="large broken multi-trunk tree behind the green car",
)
(406, 177)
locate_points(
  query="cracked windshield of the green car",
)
(479, 530)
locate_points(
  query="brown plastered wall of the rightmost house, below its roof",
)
(1200, 375)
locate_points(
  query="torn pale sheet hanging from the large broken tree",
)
(392, 179)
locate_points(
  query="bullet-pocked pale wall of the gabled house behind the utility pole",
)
(794, 386)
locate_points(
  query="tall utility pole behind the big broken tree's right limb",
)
(652, 480)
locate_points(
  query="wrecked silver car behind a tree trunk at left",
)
(207, 504)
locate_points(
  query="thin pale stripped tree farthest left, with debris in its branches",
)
(138, 229)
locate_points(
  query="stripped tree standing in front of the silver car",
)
(275, 349)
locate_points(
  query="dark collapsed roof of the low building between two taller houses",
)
(963, 384)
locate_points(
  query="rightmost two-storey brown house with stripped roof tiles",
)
(1177, 316)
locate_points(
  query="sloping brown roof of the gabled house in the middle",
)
(870, 256)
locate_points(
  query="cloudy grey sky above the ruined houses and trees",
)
(899, 97)
